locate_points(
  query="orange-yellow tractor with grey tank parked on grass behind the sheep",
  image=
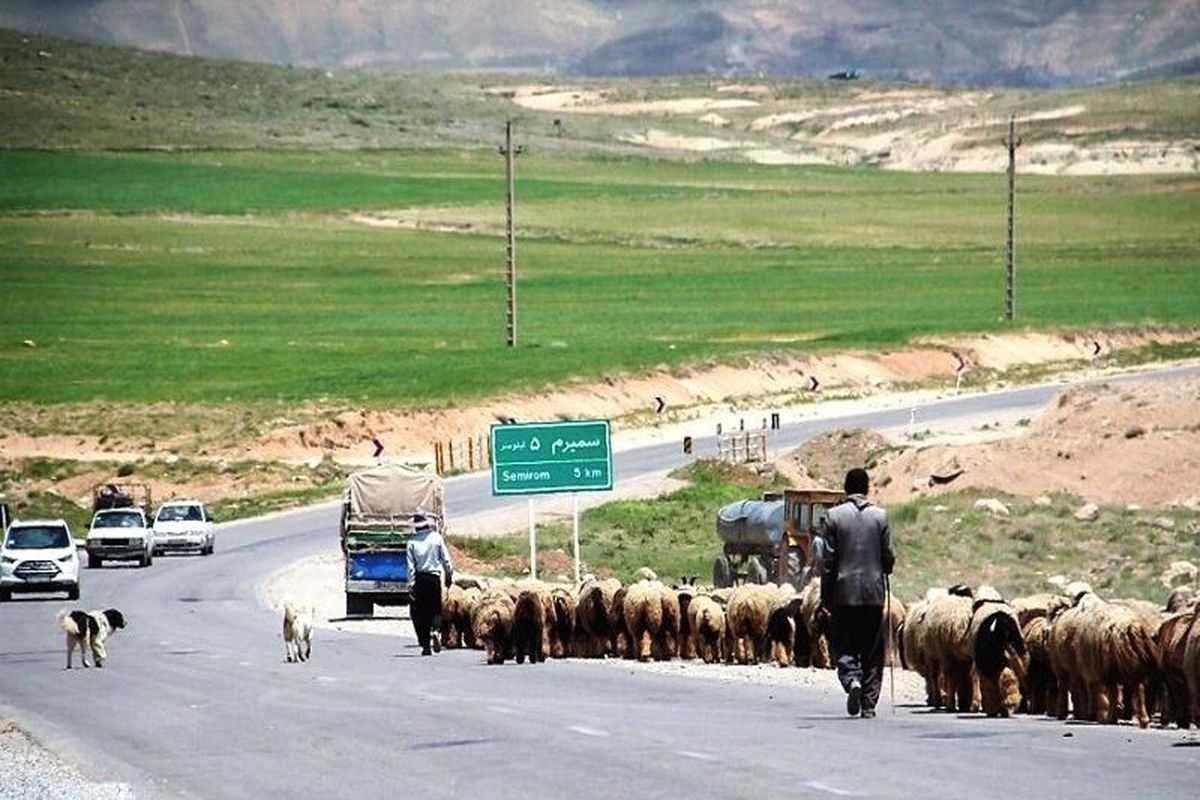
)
(771, 540)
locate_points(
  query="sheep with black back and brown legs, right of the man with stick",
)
(999, 653)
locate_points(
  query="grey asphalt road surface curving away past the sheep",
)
(197, 702)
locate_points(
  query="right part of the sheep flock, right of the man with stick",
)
(1058, 654)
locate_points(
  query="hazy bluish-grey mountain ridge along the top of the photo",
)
(1023, 43)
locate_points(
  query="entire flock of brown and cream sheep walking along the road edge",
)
(1043, 654)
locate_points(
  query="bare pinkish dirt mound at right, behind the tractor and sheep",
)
(1107, 446)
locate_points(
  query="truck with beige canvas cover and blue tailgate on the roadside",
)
(381, 512)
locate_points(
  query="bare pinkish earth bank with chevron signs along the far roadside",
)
(631, 400)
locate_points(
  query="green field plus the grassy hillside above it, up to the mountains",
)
(187, 231)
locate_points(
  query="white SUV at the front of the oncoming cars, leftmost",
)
(39, 556)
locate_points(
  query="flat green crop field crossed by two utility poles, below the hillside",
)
(242, 276)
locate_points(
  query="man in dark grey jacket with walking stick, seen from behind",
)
(854, 590)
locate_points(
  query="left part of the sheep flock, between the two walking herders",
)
(646, 619)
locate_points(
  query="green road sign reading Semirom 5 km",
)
(548, 458)
